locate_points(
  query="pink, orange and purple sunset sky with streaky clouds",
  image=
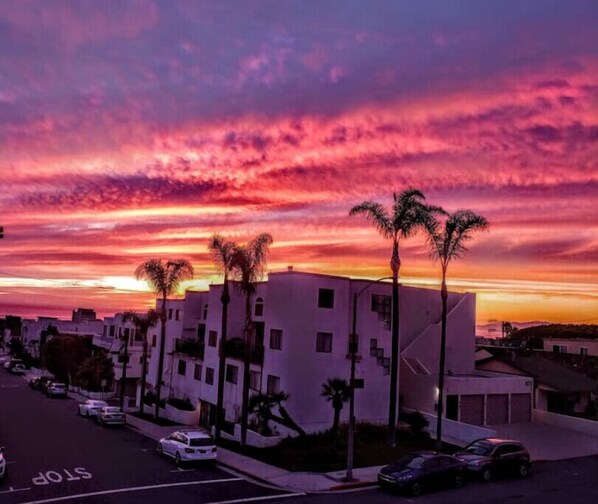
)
(137, 129)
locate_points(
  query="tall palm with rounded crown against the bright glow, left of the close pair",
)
(164, 277)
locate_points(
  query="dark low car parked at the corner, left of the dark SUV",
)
(421, 470)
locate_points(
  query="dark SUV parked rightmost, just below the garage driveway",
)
(488, 458)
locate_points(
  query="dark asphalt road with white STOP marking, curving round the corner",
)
(56, 456)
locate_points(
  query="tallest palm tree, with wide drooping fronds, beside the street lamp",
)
(407, 214)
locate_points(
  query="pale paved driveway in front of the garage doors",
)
(545, 442)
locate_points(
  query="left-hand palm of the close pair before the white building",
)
(222, 253)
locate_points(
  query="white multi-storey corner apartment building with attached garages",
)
(303, 320)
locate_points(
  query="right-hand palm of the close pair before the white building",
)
(247, 266)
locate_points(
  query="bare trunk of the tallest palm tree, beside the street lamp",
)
(395, 265)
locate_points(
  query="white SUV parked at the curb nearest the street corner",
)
(188, 445)
